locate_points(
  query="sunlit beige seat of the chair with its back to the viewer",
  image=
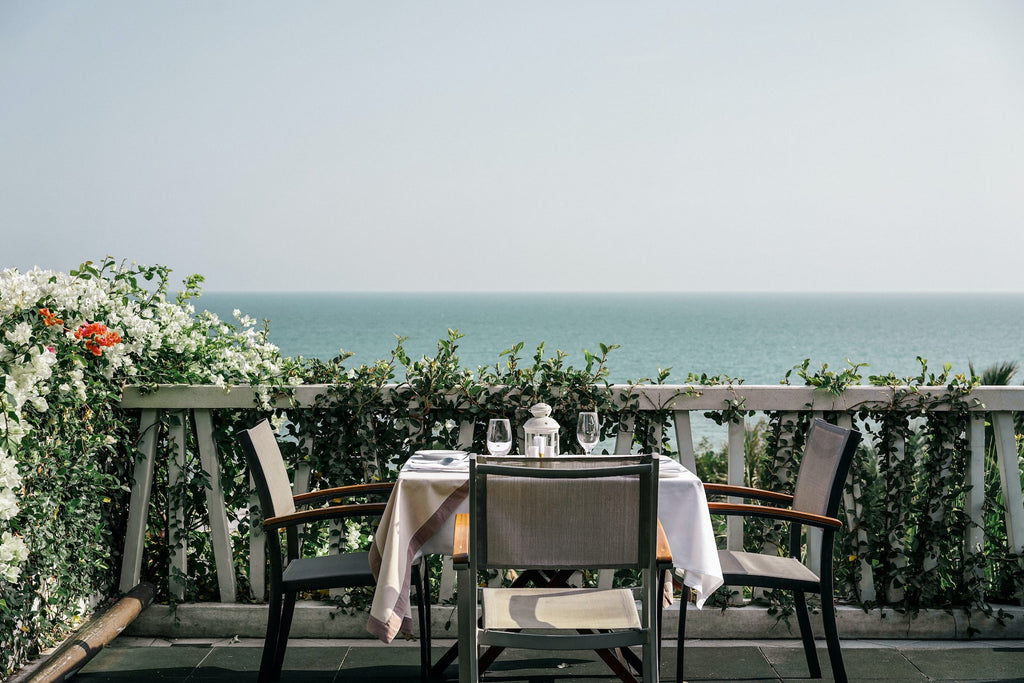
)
(559, 609)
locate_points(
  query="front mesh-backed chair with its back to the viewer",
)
(560, 515)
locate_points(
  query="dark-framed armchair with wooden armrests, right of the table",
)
(824, 467)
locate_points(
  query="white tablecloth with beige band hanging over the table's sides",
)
(420, 520)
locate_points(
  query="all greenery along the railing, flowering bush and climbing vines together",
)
(74, 447)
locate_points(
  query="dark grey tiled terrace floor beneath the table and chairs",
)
(364, 661)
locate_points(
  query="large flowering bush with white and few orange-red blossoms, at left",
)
(68, 345)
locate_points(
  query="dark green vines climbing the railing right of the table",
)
(908, 489)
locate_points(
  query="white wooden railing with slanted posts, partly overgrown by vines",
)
(194, 404)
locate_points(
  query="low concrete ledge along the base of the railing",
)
(314, 620)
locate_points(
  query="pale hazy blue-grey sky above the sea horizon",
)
(675, 146)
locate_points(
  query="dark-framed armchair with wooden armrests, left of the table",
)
(312, 574)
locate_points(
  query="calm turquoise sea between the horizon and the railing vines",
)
(754, 337)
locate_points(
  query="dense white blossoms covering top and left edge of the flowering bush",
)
(160, 341)
